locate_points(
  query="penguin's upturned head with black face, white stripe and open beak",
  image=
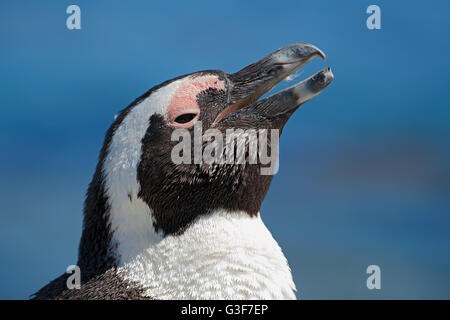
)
(138, 168)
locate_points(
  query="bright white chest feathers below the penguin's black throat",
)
(221, 256)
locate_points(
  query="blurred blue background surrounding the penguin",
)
(365, 167)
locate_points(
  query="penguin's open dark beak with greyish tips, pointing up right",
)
(250, 83)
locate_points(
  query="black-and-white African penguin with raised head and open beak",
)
(154, 229)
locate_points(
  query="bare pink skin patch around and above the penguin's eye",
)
(184, 100)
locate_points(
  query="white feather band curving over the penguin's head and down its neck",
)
(130, 217)
